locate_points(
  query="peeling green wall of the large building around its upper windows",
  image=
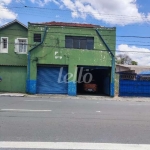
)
(53, 50)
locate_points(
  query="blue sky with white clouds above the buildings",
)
(130, 17)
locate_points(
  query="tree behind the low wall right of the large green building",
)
(125, 59)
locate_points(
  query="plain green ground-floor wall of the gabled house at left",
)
(13, 79)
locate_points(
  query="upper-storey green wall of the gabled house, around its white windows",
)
(12, 32)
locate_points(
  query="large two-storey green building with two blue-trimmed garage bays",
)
(62, 55)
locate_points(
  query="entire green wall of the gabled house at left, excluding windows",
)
(13, 75)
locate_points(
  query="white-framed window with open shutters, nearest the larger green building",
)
(21, 45)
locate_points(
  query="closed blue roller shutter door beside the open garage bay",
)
(47, 80)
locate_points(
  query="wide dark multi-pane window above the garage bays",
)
(78, 42)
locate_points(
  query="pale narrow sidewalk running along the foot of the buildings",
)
(82, 97)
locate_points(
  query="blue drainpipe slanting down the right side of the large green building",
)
(112, 56)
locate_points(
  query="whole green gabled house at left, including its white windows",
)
(13, 57)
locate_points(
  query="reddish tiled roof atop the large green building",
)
(53, 23)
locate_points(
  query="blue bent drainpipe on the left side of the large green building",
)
(29, 56)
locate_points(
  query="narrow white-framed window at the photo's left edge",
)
(4, 45)
